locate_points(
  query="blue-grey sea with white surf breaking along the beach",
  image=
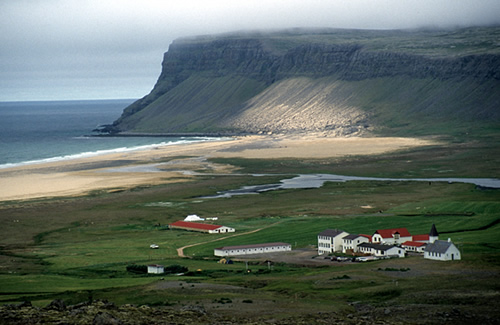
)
(47, 131)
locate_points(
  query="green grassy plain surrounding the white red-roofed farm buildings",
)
(77, 249)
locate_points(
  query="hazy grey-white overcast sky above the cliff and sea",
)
(97, 49)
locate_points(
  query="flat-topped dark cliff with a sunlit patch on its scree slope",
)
(343, 82)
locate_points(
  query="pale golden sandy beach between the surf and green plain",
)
(166, 164)
